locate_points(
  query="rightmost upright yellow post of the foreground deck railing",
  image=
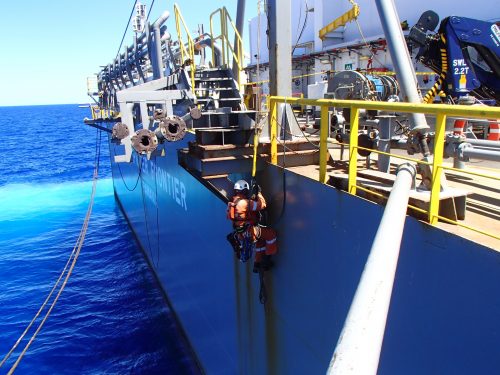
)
(436, 168)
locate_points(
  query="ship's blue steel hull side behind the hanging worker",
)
(444, 314)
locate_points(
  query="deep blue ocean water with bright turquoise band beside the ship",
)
(112, 317)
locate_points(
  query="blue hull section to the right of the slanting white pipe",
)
(445, 310)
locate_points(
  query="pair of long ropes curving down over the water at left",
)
(71, 263)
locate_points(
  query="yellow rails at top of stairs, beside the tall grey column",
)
(227, 48)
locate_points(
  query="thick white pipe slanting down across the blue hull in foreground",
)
(360, 343)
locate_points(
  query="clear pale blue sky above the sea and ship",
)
(49, 48)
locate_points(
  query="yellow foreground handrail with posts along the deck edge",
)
(442, 111)
